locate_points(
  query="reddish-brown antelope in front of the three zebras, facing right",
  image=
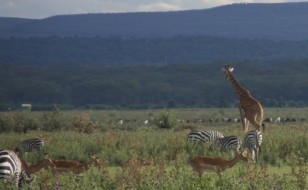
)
(217, 164)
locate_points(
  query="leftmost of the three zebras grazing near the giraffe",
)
(203, 136)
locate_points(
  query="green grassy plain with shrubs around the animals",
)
(136, 155)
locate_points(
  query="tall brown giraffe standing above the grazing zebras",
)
(251, 110)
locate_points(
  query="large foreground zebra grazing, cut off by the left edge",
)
(11, 168)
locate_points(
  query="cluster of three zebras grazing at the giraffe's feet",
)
(252, 141)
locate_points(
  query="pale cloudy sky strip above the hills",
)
(46, 8)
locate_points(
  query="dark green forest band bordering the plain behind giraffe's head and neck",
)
(95, 86)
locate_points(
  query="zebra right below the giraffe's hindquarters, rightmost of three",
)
(253, 141)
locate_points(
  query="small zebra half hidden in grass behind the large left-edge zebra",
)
(29, 145)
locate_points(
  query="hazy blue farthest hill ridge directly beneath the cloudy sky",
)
(279, 21)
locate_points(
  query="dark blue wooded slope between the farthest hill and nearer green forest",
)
(128, 51)
